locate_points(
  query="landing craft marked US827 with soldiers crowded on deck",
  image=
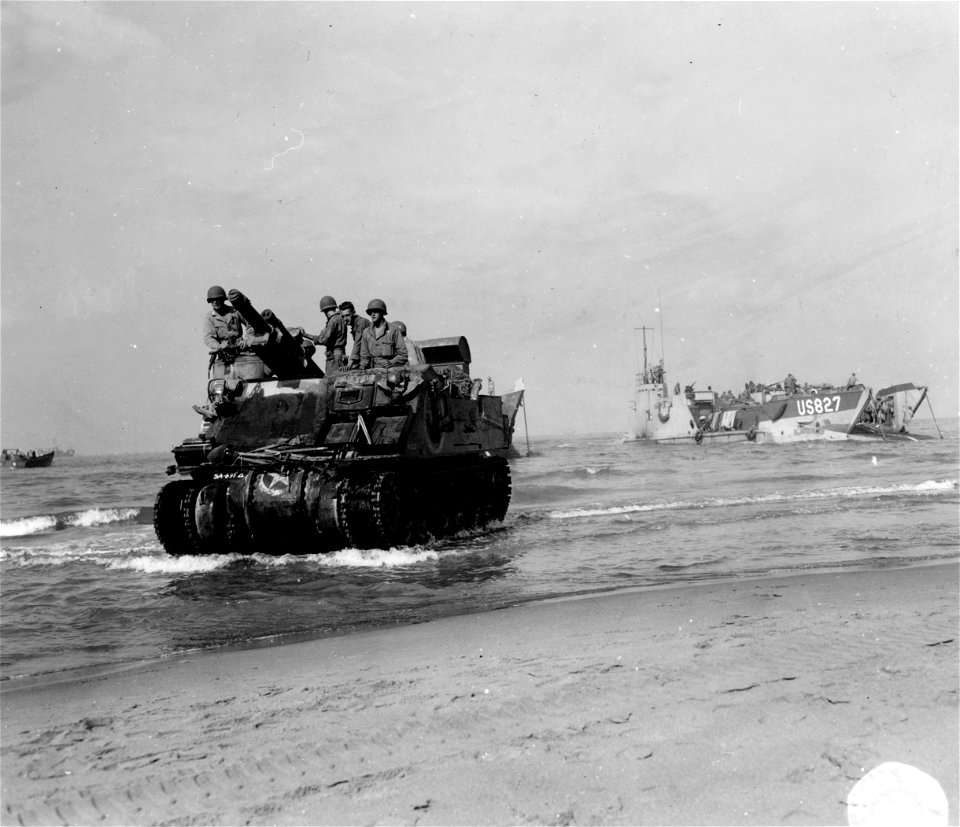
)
(778, 414)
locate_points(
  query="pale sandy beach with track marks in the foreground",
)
(738, 702)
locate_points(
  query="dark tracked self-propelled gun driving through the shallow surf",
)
(291, 461)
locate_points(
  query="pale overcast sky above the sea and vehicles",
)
(779, 179)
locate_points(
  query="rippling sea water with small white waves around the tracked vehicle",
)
(85, 583)
